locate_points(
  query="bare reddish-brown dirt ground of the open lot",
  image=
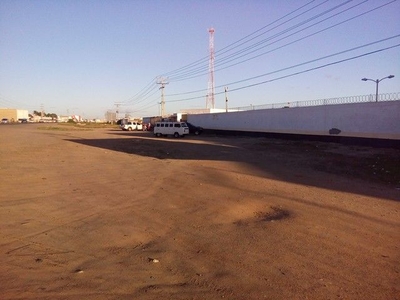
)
(105, 214)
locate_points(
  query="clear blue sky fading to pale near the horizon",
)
(83, 56)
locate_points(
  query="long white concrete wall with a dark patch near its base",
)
(365, 120)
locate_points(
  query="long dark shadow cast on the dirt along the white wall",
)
(299, 162)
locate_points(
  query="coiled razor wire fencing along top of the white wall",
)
(320, 102)
